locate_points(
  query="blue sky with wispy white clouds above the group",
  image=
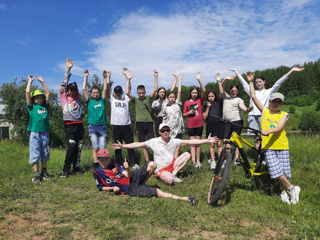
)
(184, 36)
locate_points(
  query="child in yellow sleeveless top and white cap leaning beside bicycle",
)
(275, 142)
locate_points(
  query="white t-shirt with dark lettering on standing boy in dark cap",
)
(120, 111)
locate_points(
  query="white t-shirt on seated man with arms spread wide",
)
(163, 154)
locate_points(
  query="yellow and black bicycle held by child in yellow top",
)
(258, 171)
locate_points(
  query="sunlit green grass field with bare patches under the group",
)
(73, 208)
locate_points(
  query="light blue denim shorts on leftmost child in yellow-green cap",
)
(39, 147)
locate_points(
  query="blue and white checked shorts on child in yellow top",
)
(278, 163)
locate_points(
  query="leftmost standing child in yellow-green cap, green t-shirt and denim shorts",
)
(37, 106)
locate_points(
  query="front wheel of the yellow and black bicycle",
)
(220, 177)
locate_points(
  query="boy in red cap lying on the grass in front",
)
(113, 177)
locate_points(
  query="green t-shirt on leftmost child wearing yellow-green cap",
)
(39, 118)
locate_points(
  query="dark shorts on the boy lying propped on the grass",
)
(137, 187)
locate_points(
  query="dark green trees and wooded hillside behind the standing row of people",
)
(301, 89)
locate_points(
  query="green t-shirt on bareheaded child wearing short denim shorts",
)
(96, 112)
